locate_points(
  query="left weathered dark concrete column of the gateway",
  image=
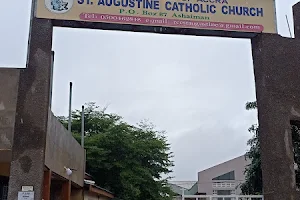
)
(27, 166)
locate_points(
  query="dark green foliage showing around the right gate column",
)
(253, 173)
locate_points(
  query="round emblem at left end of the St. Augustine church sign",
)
(59, 6)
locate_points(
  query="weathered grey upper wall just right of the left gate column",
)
(62, 150)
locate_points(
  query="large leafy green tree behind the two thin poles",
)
(128, 160)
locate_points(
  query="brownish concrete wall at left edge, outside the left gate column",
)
(9, 82)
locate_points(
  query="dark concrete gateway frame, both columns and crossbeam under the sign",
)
(277, 79)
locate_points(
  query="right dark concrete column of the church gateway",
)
(277, 79)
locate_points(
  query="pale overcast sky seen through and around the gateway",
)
(195, 88)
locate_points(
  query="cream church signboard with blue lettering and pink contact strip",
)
(227, 15)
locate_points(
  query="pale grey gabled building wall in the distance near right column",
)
(205, 177)
